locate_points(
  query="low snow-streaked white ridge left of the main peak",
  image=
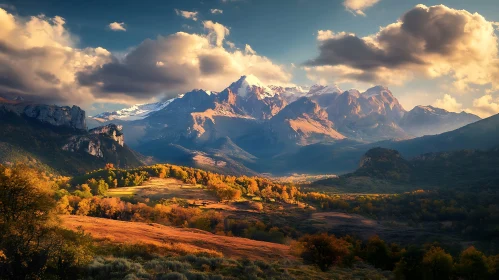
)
(135, 112)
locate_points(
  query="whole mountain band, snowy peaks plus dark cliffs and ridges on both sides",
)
(247, 128)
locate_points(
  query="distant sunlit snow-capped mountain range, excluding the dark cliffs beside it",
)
(250, 127)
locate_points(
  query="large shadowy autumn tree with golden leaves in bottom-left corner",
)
(30, 241)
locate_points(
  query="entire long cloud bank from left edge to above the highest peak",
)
(39, 61)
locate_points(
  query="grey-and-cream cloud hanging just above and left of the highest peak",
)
(177, 63)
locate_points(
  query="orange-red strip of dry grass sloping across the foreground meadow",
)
(178, 239)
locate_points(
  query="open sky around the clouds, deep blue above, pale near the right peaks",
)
(283, 31)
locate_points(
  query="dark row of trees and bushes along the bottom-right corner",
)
(431, 262)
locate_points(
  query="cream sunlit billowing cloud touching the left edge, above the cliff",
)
(38, 60)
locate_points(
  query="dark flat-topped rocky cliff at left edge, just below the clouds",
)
(72, 117)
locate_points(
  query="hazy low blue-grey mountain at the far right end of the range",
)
(428, 120)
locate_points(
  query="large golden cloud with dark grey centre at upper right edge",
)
(429, 42)
